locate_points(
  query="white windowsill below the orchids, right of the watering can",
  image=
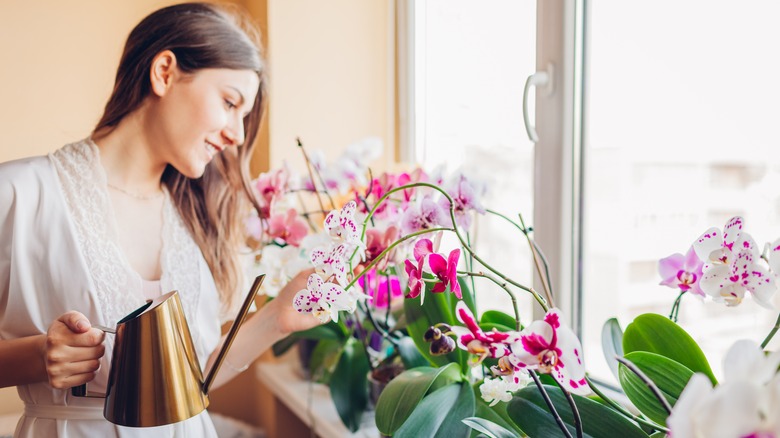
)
(310, 402)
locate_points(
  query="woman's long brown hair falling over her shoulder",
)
(200, 35)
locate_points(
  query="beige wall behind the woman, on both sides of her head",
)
(331, 74)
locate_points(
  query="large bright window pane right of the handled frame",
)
(680, 135)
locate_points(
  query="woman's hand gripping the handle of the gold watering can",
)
(72, 350)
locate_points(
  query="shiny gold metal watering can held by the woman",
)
(155, 376)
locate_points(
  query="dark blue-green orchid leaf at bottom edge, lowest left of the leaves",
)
(440, 414)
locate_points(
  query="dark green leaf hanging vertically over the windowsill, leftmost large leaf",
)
(350, 394)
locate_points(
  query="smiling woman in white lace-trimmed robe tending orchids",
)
(150, 202)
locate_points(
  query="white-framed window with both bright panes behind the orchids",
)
(660, 125)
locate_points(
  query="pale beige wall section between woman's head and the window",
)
(331, 75)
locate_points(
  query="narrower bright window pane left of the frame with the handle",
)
(470, 65)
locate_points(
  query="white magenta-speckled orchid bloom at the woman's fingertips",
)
(323, 300)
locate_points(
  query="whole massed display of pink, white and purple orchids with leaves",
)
(389, 292)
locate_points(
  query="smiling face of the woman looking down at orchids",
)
(200, 115)
